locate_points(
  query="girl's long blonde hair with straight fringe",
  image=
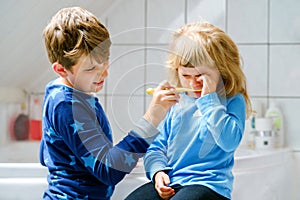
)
(203, 44)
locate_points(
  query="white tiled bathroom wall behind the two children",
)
(267, 33)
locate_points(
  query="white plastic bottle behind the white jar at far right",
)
(275, 114)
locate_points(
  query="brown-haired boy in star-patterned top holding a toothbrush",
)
(77, 144)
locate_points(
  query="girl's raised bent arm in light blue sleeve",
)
(225, 122)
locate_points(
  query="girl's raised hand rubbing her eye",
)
(210, 78)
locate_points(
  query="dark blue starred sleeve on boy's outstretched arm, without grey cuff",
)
(92, 146)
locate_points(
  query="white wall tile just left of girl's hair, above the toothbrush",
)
(156, 67)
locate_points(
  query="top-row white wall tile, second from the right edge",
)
(248, 20)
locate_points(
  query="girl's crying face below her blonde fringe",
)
(189, 77)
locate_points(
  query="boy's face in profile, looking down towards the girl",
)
(88, 75)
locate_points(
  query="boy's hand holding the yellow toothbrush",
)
(163, 98)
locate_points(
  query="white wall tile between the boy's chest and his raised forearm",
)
(123, 112)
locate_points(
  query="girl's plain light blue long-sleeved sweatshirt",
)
(197, 141)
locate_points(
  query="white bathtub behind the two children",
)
(258, 175)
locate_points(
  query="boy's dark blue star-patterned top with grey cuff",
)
(77, 146)
